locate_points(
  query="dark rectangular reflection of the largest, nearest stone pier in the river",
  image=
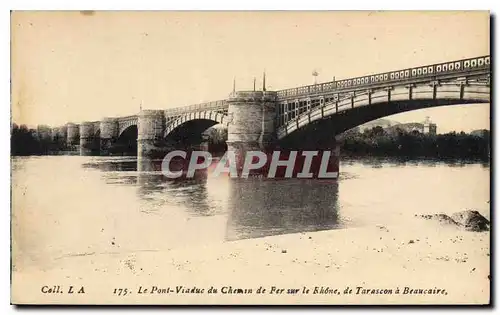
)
(262, 207)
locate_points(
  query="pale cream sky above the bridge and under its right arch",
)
(70, 66)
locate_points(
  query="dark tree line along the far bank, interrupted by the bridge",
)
(372, 142)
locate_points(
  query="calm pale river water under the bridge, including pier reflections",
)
(68, 204)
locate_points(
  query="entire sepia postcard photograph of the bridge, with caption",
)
(250, 157)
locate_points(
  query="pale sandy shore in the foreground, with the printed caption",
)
(422, 255)
